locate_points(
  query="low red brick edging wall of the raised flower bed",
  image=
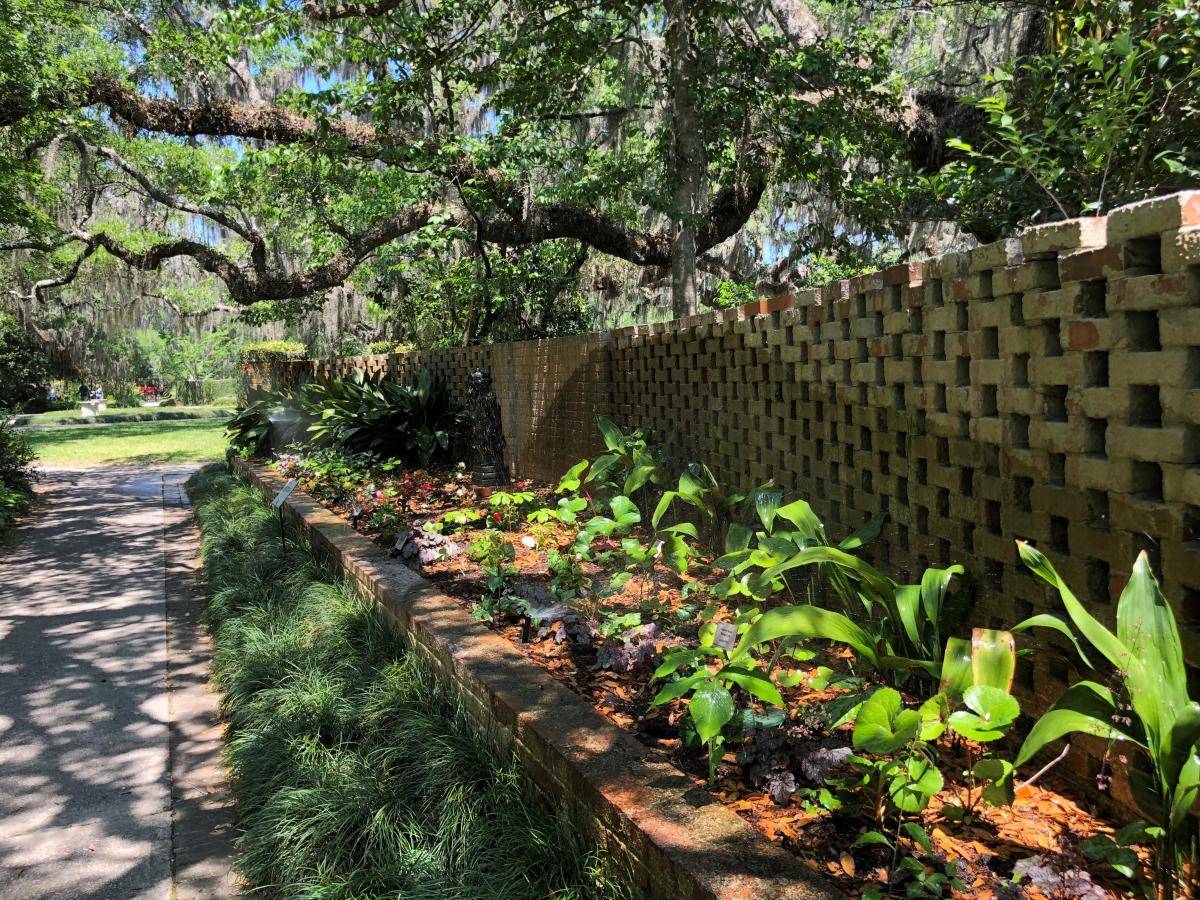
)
(670, 836)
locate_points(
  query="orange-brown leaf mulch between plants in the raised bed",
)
(1043, 821)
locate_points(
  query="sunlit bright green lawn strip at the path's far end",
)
(133, 445)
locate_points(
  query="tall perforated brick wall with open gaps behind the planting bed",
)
(1045, 388)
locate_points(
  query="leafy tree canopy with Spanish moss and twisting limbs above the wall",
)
(483, 153)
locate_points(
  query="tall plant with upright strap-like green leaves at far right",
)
(1161, 718)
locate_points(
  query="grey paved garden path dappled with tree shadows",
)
(110, 784)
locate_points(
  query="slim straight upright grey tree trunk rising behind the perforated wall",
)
(688, 169)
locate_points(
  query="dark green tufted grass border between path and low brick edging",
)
(356, 775)
